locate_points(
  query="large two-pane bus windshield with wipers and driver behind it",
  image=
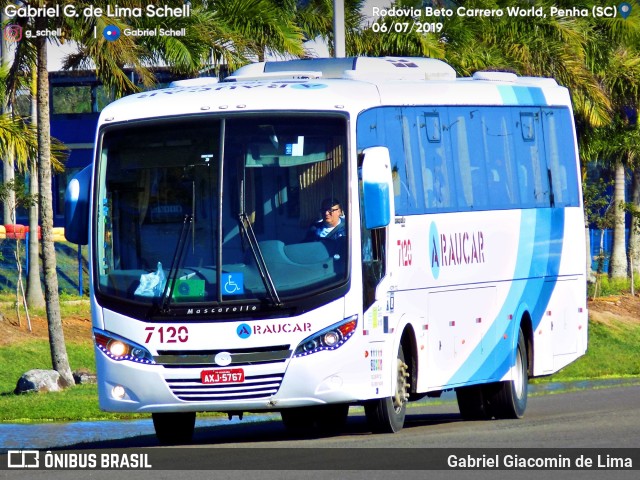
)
(215, 210)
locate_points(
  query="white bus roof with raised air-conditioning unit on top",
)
(338, 85)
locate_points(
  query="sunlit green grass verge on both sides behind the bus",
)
(613, 353)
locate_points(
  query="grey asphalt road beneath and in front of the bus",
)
(586, 423)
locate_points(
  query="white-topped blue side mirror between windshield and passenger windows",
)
(377, 185)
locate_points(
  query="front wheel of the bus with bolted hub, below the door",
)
(386, 415)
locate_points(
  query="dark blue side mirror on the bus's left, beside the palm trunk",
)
(76, 208)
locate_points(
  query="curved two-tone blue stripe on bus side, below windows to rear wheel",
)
(537, 265)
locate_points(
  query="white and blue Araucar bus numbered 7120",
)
(459, 264)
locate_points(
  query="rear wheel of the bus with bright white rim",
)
(509, 400)
